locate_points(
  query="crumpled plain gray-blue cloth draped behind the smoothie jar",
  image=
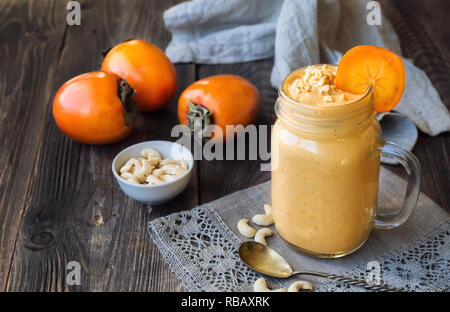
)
(298, 33)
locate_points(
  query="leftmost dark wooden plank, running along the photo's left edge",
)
(30, 39)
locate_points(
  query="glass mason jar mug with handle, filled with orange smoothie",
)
(325, 171)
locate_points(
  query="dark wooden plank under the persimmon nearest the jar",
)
(218, 178)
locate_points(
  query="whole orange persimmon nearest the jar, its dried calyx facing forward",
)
(220, 100)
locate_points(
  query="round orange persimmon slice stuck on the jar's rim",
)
(363, 66)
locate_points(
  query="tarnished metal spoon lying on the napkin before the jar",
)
(268, 262)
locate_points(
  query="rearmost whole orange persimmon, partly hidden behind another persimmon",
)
(147, 69)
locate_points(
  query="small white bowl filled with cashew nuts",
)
(153, 172)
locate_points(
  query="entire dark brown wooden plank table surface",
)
(52, 189)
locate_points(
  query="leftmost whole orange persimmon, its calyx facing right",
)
(95, 108)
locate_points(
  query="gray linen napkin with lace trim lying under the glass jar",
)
(200, 245)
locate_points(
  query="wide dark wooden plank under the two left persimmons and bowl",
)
(73, 186)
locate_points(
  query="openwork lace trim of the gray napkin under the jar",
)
(202, 252)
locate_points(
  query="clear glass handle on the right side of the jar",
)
(414, 171)
